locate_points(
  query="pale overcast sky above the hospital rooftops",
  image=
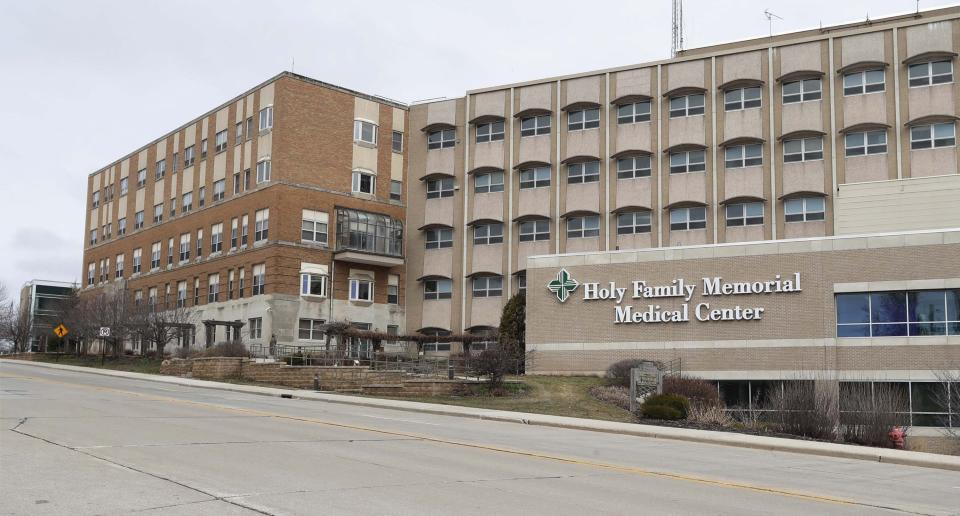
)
(84, 83)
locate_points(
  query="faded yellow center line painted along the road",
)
(555, 458)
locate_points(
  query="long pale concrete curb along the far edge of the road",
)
(846, 451)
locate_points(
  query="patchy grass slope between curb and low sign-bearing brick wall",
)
(553, 395)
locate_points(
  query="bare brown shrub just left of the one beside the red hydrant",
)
(801, 409)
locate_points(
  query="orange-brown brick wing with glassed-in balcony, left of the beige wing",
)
(280, 209)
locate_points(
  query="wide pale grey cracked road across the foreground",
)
(77, 443)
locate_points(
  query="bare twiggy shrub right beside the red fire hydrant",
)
(870, 411)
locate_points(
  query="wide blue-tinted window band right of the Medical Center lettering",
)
(917, 313)
